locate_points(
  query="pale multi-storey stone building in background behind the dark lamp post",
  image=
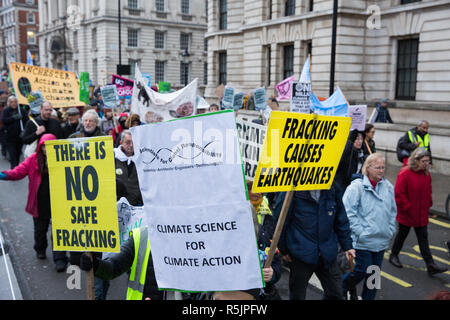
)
(164, 37)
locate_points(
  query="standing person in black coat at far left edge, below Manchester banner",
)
(14, 121)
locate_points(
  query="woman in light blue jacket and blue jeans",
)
(371, 210)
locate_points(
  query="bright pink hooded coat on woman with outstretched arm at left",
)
(30, 168)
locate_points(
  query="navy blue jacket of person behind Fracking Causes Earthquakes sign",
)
(313, 229)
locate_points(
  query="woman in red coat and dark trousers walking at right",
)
(414, 198)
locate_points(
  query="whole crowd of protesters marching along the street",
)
(356, 218)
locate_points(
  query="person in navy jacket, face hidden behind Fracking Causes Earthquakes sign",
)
(315, 223)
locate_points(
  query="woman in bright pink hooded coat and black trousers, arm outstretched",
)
(38, 203)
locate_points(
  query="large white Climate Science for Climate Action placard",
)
(201, 231)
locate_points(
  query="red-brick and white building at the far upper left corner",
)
(18, 31)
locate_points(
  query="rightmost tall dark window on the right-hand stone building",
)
(407, 69)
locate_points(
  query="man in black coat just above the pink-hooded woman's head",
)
(46, 125)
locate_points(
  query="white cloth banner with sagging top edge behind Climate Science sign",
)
(151, 105)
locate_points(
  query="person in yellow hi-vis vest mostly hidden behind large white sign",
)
(134, 255)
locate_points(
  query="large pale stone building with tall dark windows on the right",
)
(396, 49)
